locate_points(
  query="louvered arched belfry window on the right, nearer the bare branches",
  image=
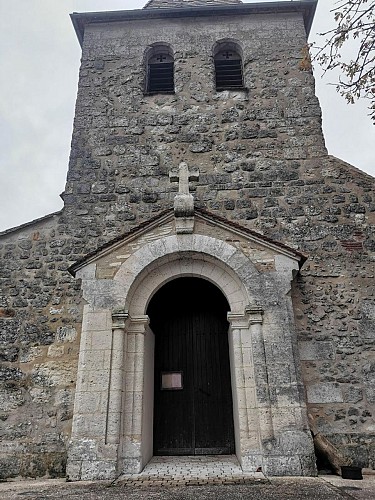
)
(228, 70)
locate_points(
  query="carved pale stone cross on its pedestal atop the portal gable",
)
(184, 201)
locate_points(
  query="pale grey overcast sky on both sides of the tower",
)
(39, 60)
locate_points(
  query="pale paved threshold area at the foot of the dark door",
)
(191, 470)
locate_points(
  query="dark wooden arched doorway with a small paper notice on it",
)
(193, 411)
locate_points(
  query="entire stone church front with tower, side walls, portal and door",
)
(197, 160)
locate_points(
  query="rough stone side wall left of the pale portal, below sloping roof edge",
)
(40, 314)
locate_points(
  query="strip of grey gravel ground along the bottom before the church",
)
(327, 487)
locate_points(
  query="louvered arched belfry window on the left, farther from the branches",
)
(160, 72)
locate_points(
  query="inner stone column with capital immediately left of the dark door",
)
(133, 402)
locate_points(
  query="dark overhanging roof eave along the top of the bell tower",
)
(306, 7)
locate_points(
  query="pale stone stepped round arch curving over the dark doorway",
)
(202, 256)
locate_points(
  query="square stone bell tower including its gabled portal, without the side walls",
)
(191, 118)
